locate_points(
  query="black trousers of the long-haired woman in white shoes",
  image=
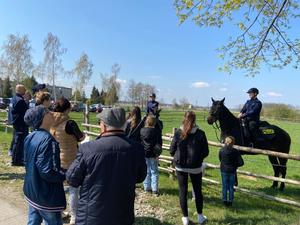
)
(183, 191)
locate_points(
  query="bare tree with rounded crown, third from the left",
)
(83, 71)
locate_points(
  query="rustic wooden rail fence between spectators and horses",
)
(167, 160)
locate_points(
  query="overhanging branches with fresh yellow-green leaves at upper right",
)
(263, 27)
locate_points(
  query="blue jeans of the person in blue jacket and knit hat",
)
(36, 217)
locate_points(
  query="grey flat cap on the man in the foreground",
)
(114, 117)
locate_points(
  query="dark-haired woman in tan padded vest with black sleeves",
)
(67, 134)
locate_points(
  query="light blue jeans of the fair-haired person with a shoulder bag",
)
(151, 181)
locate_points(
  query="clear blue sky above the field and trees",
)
(145, 39)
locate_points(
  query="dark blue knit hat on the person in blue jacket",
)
(34, 116)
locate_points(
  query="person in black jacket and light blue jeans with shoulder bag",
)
(151, 137)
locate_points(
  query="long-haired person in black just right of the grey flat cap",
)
(134, 124)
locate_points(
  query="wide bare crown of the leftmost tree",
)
(16, 59)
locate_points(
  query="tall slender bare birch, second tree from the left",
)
(52, 59)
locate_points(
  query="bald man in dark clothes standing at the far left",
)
(20, 131)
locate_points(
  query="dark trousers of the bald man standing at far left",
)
(17, 145)
